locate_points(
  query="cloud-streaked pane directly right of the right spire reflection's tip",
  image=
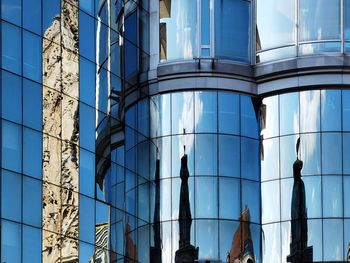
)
(310, 154)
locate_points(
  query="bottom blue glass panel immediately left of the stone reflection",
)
(31, 248)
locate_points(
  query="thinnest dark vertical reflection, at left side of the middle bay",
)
(156, 250)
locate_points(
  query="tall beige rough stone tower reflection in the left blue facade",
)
(61, 138)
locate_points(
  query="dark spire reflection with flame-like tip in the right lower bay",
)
(299, 251)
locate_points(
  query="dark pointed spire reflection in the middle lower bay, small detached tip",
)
(186, 252)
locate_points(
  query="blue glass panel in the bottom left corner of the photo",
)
(10, 242)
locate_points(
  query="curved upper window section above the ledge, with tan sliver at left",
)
(205, 28)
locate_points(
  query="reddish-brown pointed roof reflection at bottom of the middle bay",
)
(242, 249)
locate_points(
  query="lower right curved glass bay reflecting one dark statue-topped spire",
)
(315, 204)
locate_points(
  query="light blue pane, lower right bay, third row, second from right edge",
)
(332, 196)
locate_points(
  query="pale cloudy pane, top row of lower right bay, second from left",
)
(289, 112)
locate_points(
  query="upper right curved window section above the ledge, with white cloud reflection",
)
(300, 28)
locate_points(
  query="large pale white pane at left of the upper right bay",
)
(277, 29)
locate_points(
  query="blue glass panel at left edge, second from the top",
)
(11, 48)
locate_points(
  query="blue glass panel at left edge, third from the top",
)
(11, 97)
